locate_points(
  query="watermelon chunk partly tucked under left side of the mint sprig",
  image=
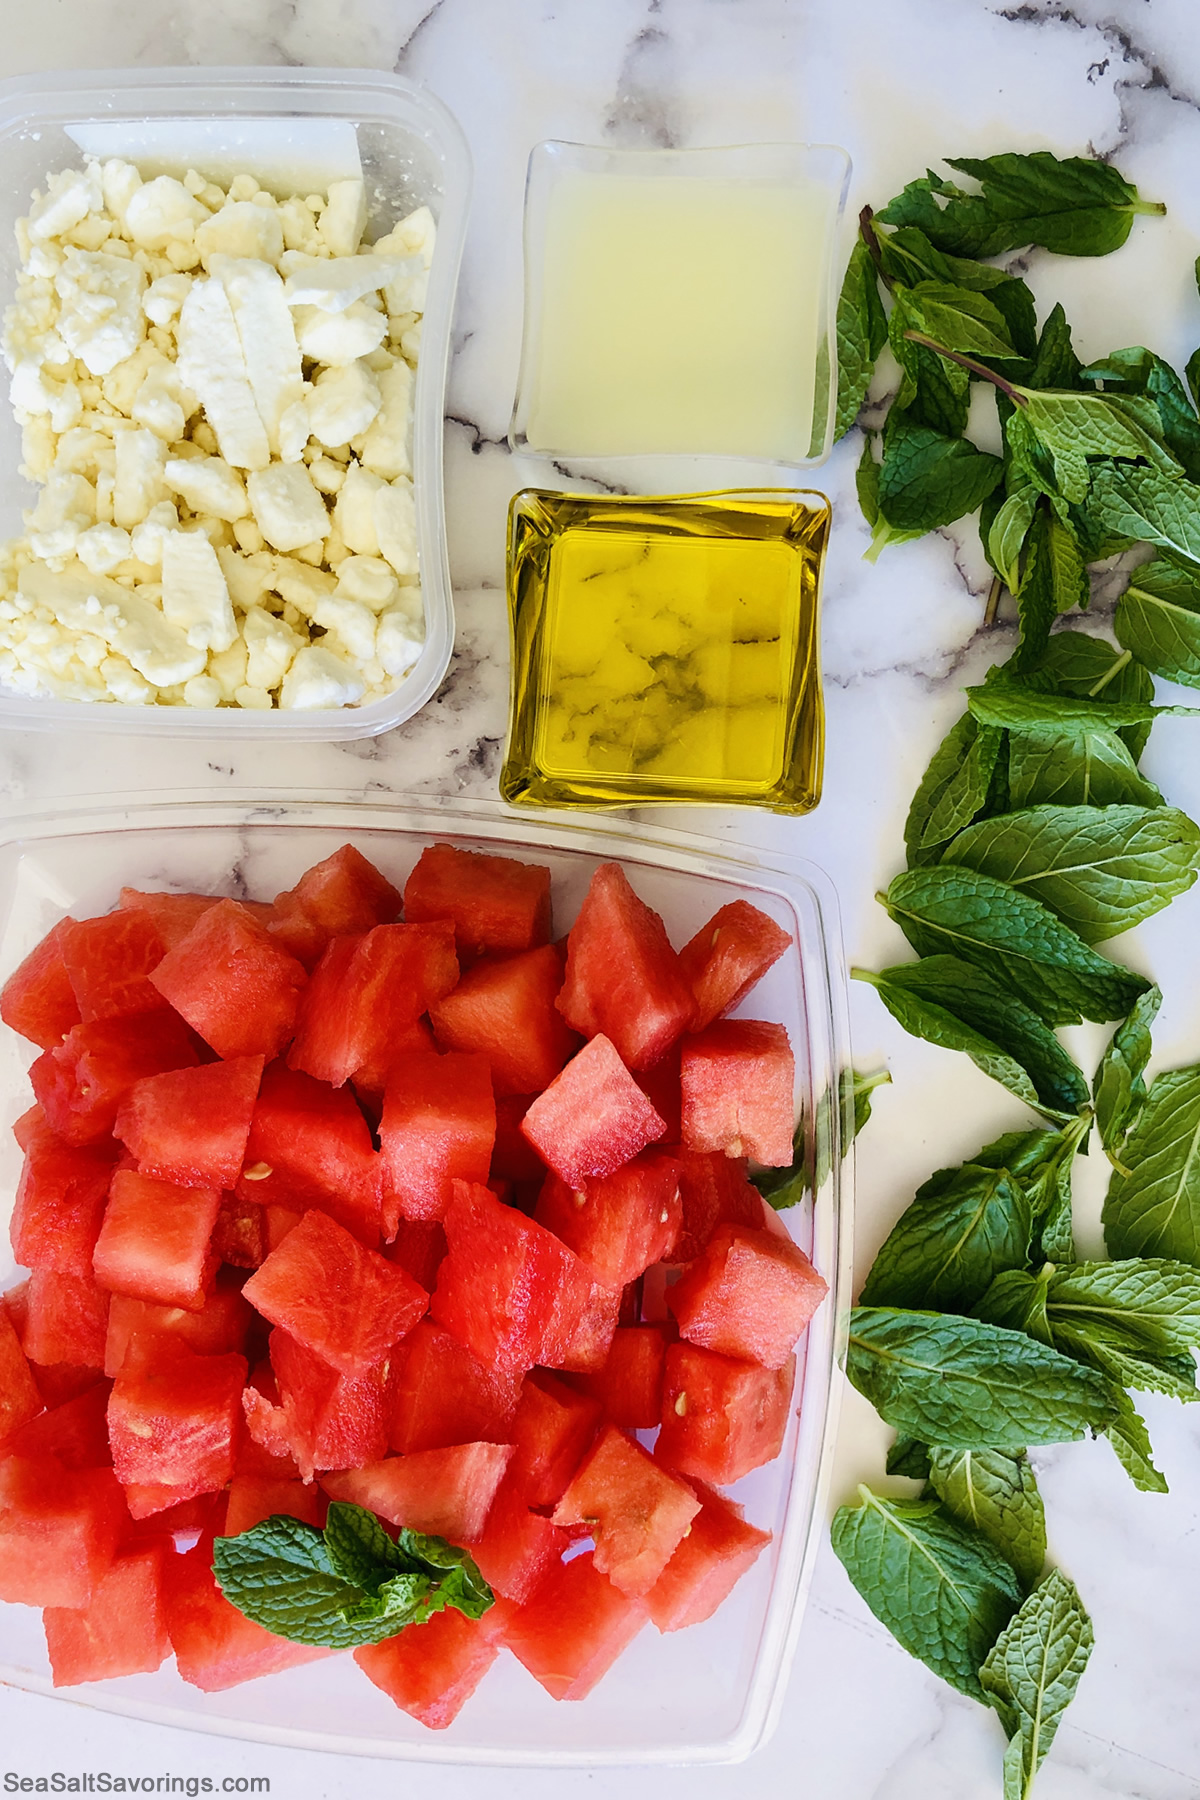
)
(215, 1644)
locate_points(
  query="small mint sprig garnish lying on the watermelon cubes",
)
(348, 1585)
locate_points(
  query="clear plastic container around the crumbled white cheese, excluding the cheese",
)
(413, 154)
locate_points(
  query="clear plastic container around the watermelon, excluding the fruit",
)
(706, 1695)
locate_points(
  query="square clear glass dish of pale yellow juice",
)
(681, 301)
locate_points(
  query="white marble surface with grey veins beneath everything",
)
(899, 84)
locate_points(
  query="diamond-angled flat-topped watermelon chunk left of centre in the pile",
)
(346, 1304)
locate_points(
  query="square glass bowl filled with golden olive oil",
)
(667, 649)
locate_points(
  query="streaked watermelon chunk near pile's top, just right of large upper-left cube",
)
(366, 996)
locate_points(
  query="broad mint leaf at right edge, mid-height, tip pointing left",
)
(1100, 868)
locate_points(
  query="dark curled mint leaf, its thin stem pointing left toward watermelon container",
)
(951, 1003)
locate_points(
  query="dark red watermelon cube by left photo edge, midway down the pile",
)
(60, 1203)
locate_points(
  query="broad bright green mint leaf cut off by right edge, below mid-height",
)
(1154, 1209)
